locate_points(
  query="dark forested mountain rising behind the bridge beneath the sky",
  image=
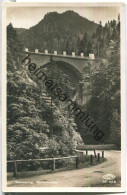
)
(60, 32)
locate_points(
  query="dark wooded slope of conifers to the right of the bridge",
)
(104, 79)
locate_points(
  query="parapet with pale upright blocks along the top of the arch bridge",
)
(90, 57)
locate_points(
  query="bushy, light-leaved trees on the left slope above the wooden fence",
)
(32, 124)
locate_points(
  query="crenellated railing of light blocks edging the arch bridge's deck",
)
(91, 56)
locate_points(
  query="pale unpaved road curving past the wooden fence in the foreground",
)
(75, 178)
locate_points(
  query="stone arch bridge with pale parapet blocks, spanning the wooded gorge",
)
(71, 64)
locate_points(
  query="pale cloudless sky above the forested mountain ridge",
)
(26, 17)
